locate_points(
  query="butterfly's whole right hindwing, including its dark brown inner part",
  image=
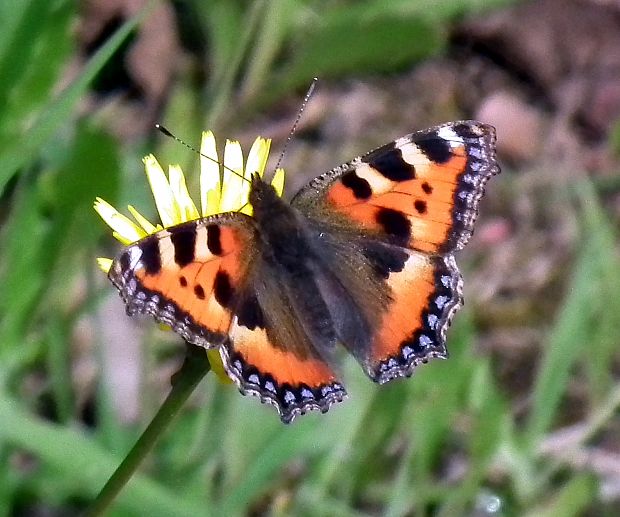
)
(390, 305)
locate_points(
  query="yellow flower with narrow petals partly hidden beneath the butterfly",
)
(223, 188)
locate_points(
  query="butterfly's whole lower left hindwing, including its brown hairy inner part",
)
(272, 356)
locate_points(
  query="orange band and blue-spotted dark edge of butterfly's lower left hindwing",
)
(277, 375)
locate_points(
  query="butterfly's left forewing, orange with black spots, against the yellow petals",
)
(188, 276)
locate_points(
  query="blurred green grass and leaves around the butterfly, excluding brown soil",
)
(444, 443)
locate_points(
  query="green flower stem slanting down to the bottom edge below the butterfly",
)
(195, 367)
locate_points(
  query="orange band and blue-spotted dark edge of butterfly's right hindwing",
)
(425, 296)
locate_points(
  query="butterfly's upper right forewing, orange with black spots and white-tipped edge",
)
(419, 192)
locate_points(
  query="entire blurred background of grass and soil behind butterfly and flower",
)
(523, 418)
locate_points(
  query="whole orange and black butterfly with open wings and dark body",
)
(362, 257)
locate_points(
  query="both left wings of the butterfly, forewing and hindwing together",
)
(206, 280)
